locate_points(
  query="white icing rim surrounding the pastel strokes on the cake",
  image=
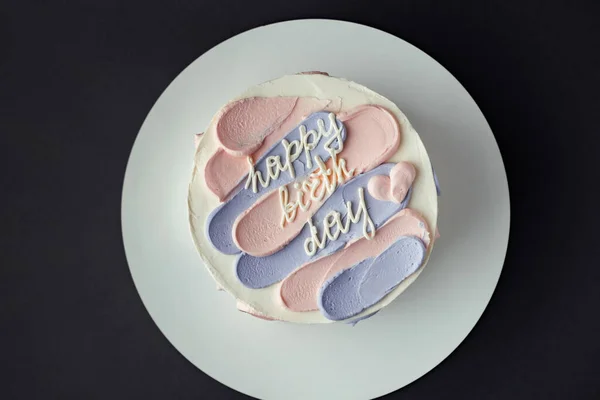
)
(202, 201)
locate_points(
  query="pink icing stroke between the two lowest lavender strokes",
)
(299, 291)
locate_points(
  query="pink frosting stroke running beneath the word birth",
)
(373, 135)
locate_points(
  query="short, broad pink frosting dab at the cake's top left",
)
(244, 124)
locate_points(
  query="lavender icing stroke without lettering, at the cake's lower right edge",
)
(366, 283)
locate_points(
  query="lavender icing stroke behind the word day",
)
(259, 272)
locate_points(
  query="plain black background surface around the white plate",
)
(78, 78)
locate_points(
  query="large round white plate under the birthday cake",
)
(272, 360)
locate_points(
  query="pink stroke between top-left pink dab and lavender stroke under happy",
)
(223, 171)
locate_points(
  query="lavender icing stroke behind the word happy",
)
(219, 225)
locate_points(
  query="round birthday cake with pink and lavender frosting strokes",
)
(312, 200)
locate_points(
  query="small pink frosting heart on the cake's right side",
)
(395, 186)
